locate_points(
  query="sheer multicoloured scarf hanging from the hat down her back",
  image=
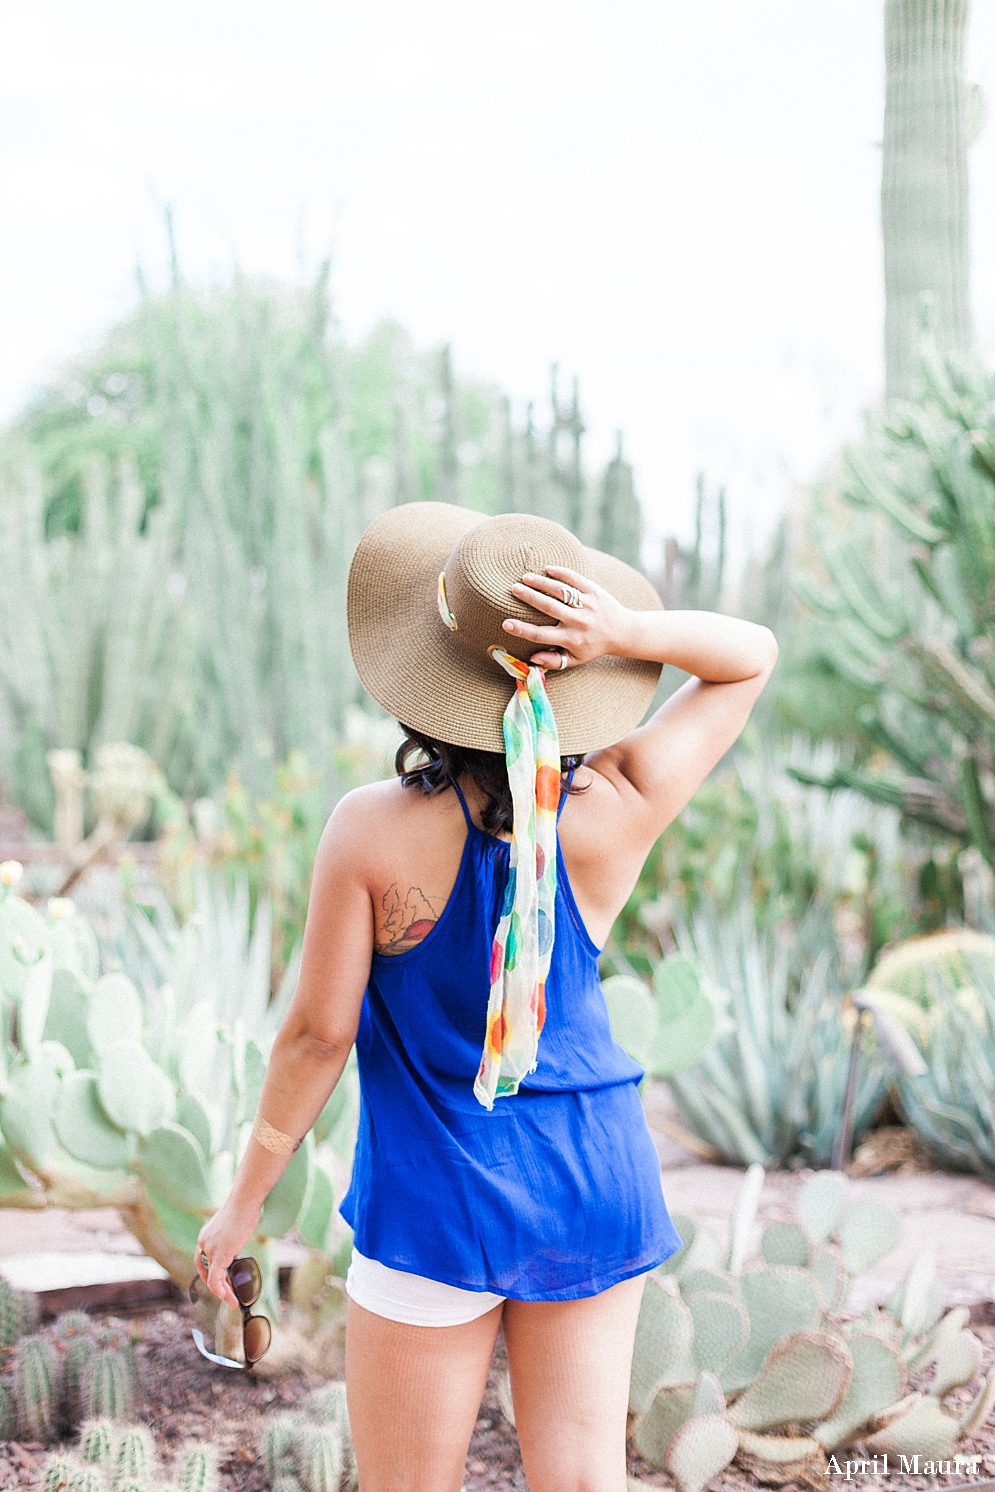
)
(524, 939)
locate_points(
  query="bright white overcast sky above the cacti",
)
(677, 199)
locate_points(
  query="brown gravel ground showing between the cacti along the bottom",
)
(186, 1397)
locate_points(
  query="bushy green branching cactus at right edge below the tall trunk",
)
(908, 612)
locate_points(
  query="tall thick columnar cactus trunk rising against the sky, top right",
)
(930, 122)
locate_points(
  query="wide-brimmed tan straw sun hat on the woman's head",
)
(444, 683)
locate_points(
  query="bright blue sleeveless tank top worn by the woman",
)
(554, 1194)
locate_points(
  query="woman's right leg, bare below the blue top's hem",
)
(571, 1378)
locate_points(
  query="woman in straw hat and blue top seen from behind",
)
(505, 1173)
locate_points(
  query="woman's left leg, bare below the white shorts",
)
(414, 1399)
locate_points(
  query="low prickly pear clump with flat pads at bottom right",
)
(794, 1378)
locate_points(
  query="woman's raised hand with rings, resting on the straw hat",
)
(581, 632)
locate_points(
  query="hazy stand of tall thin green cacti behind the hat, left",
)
(181, 507)
